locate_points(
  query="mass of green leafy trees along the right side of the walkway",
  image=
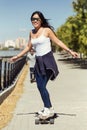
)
(74, 31)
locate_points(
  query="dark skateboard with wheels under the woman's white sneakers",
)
(49, 120)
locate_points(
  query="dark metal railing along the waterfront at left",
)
(9, 72)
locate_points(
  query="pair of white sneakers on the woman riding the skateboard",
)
(48, 112)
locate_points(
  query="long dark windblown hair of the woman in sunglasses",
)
(45, 22)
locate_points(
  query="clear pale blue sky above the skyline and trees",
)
(15, 15)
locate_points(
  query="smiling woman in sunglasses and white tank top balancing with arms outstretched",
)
(45, 68)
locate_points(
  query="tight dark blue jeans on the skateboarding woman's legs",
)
(41, 84)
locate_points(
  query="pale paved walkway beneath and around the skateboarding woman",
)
(69, 97)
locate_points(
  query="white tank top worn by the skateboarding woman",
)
(42, 45)
